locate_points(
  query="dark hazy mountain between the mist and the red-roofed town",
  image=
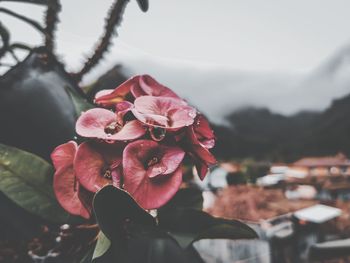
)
(261, 134)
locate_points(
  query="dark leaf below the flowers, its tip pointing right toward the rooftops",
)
(188, 226)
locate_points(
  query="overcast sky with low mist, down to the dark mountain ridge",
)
(263, 53)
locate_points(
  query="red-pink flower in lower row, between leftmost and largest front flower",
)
(97, 165)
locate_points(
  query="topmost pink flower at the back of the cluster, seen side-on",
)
(134, 87)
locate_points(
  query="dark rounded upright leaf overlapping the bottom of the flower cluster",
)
(114, 208)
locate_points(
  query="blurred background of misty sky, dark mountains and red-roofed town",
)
(273, 77)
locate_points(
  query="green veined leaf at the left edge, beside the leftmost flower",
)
(27, 180)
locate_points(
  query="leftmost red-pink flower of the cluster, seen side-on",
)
(69, 193)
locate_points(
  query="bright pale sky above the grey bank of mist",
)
(277, 35)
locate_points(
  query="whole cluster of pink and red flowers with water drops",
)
(136, 140)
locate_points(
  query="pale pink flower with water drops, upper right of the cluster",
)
(165, 112)
